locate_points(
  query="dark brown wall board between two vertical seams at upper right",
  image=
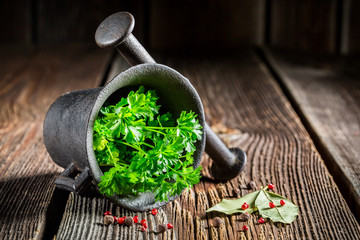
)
(303, 25)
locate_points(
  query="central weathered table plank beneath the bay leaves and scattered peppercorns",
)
(240, 94)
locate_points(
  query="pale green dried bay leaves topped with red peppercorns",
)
(269, 205)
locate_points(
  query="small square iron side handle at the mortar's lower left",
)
(66, 182)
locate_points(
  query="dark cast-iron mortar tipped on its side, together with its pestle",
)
(68, 125)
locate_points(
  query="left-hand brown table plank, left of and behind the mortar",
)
(29, 84)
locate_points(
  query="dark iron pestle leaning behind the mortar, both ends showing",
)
(115, 31)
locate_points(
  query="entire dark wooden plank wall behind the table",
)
(330, 26)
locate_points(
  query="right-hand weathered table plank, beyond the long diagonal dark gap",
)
(326, 90)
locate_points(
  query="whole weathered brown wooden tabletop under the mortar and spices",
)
(296, 117)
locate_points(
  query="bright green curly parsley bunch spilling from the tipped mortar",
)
(144, 151)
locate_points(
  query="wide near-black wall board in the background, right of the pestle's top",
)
(206, 25)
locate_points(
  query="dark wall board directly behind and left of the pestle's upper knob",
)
(72, 21)
